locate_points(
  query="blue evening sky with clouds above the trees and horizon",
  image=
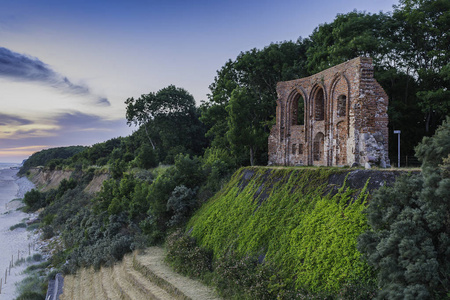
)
(66, 67)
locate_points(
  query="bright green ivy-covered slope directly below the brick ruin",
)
(304, 221)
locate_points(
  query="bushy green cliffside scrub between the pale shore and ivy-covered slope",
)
(131, 211)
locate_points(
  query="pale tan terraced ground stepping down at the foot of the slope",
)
(139, 276)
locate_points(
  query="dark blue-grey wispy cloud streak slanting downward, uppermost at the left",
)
(20, 67)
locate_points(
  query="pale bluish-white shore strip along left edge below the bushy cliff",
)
(17, 243)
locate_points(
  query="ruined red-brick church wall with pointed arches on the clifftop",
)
(336, 117)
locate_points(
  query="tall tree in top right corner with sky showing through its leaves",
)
(422, 40)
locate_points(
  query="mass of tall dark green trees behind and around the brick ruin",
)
(410, 48)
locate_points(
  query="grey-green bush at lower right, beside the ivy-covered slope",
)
(409, 239)
